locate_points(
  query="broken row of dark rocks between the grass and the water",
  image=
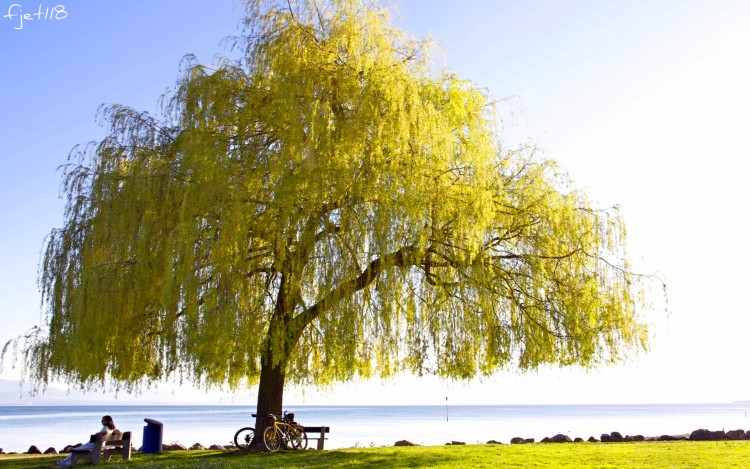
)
(614, 437)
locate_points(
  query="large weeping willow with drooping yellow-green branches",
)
(326, 207)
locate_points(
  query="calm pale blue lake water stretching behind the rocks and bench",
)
(57, 426)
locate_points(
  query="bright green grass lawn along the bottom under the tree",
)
(678, 454)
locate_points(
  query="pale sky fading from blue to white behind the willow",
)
(646, 104)
